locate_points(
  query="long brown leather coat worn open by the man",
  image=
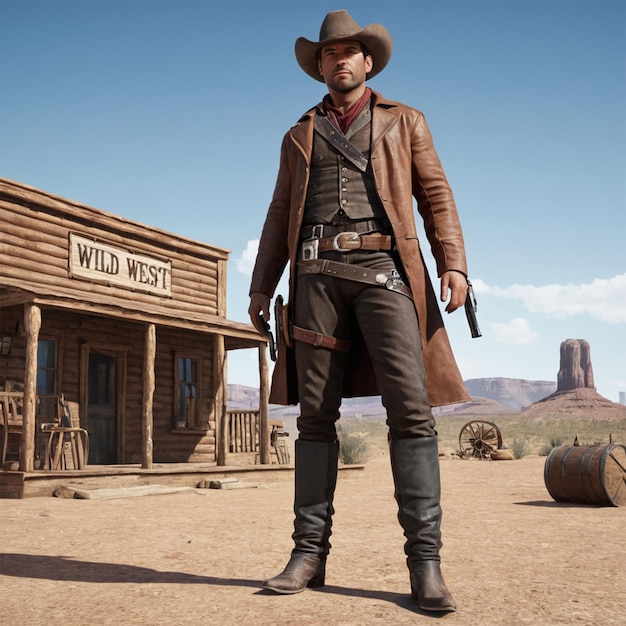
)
(405, 165)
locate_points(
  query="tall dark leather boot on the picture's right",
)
(415, 466)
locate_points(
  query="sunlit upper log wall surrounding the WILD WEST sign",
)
(34, 244)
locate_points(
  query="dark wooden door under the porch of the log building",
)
(102, 408)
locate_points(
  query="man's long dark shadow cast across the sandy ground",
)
(67, 569)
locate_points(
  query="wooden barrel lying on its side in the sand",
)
(587, 474)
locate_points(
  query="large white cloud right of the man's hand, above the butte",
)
(602, 299)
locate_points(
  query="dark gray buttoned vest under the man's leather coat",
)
(338, 189)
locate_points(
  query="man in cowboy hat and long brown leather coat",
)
(363, 314)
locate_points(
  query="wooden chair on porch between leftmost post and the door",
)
(68, 444)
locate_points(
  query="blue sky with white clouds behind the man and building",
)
(171, 113)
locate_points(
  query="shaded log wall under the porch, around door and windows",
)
(72, 330)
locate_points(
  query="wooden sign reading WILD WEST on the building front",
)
(98, 261)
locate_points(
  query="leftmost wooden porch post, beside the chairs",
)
(32, 326)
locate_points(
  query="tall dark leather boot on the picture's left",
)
(315, 482)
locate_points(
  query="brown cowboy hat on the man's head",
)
(339, 26)
